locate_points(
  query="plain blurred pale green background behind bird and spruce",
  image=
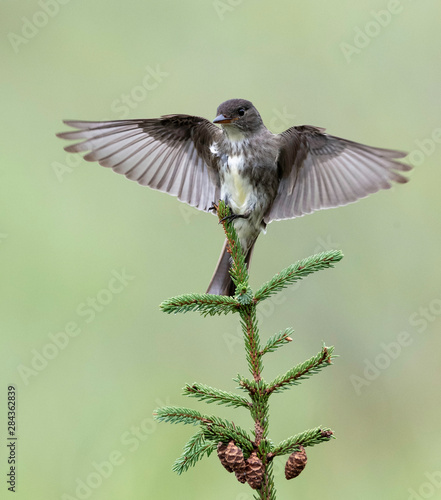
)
(67, 226)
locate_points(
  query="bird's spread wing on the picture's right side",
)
(319, 171)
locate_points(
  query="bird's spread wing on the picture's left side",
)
(171, 153)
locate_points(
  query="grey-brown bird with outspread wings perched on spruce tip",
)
(261, 176)
